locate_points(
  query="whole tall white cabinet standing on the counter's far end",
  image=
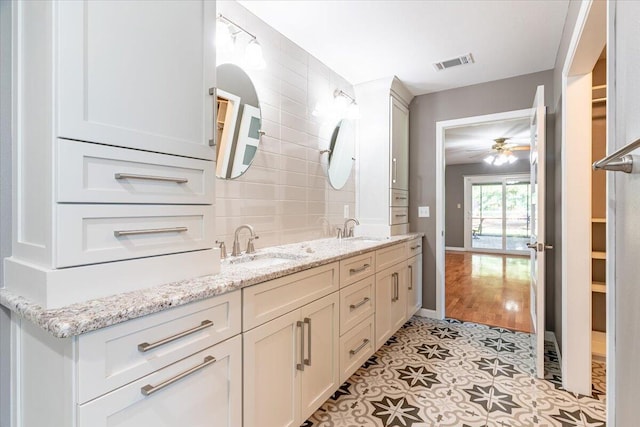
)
(383, 162)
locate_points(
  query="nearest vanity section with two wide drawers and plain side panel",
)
(182, 366)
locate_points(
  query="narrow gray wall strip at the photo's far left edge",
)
(5, 199)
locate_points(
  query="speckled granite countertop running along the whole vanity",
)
(235, 273)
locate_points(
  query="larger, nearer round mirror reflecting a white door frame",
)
(238, 122)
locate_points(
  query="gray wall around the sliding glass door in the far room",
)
(454, 194)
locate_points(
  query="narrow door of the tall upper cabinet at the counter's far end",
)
(399, 146)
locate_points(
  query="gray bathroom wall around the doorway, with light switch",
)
(499, 96)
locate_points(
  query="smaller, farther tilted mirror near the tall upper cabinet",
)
(341, 154)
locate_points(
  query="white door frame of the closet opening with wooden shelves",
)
(587, 41)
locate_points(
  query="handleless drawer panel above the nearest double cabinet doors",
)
(274, 298)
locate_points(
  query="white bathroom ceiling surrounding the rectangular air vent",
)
(365, 40)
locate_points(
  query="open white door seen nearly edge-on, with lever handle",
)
(537, 245)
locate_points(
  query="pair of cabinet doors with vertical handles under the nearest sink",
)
(291, 365)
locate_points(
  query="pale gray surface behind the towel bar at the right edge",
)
(623, 231)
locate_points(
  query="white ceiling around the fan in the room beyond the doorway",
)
(471, 144)
